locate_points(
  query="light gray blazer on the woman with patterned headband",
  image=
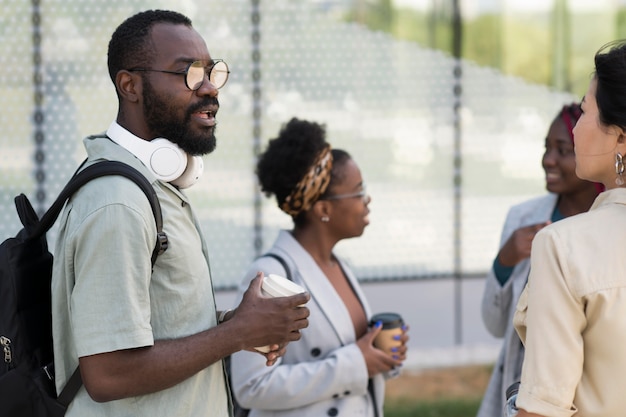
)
(322, 374)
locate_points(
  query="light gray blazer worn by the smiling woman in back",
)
(499, 303)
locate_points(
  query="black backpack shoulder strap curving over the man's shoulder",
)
(94, 171)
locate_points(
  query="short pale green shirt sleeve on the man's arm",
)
(110, 301)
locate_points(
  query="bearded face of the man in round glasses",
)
(170, 109)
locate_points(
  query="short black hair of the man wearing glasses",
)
(130, 43)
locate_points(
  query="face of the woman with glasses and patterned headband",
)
(349, 212)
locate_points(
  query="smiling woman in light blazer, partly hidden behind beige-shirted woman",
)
(567, 195)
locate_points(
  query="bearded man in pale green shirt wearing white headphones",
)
(147, 339)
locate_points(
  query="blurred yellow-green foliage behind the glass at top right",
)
(521, 44)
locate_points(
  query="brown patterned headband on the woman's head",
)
(311, 187)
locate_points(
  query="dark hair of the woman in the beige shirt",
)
(610, 73)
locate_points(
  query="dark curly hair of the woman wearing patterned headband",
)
(289, 157)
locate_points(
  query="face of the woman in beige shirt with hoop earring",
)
(595, 144)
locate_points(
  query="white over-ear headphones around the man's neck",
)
(163, 158)
